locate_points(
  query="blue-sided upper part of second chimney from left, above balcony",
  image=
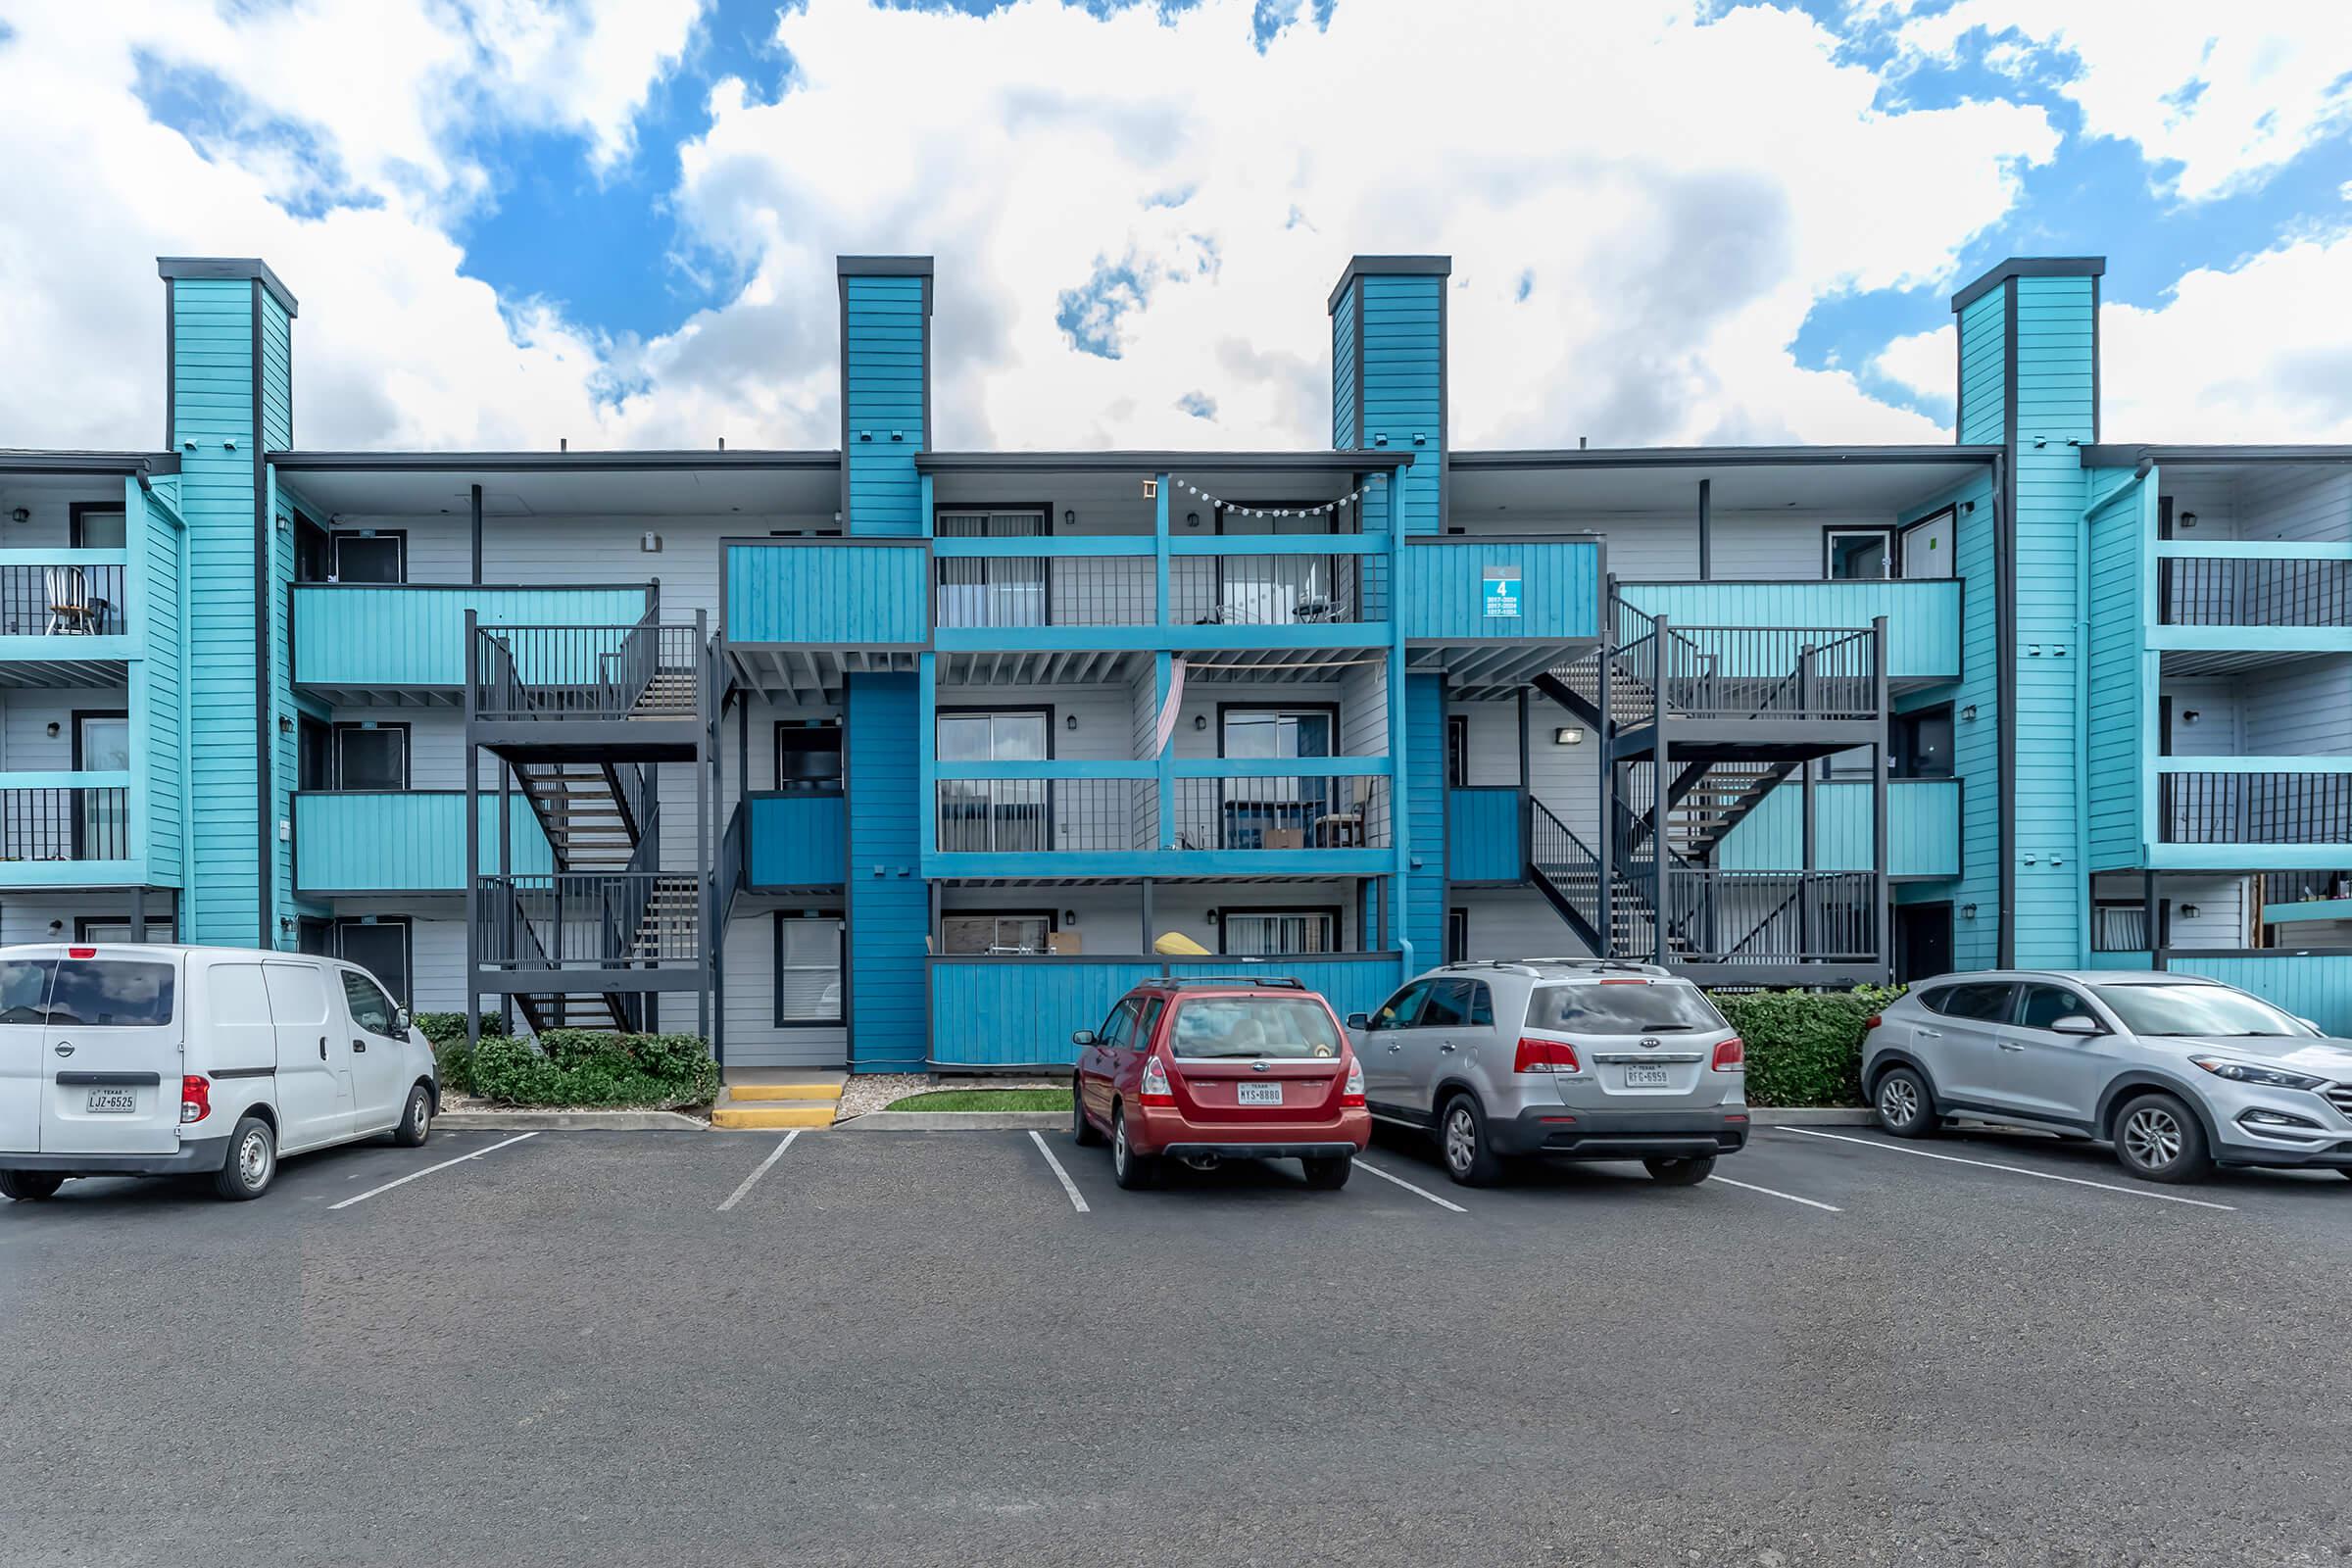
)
(886, 335)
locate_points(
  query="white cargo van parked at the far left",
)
(272, 1054)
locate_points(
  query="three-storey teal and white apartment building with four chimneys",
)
(893, 756)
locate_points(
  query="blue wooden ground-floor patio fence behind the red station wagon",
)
(1022, 1012)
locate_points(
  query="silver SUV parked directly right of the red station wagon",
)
(1582, 1059)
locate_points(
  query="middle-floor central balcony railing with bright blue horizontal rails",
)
(1121, 819)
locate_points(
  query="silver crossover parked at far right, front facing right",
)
(2174, 1071)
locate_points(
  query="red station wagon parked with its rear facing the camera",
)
(1222, 1068)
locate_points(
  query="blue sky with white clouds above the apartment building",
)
(1673, 222)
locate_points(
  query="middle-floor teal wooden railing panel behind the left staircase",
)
(403, 840)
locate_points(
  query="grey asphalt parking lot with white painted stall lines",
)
(942, 1348)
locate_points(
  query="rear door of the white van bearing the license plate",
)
(114, 1057)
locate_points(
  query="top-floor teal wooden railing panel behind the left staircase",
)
(415, 636)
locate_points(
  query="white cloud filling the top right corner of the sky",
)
(2229, 93)
